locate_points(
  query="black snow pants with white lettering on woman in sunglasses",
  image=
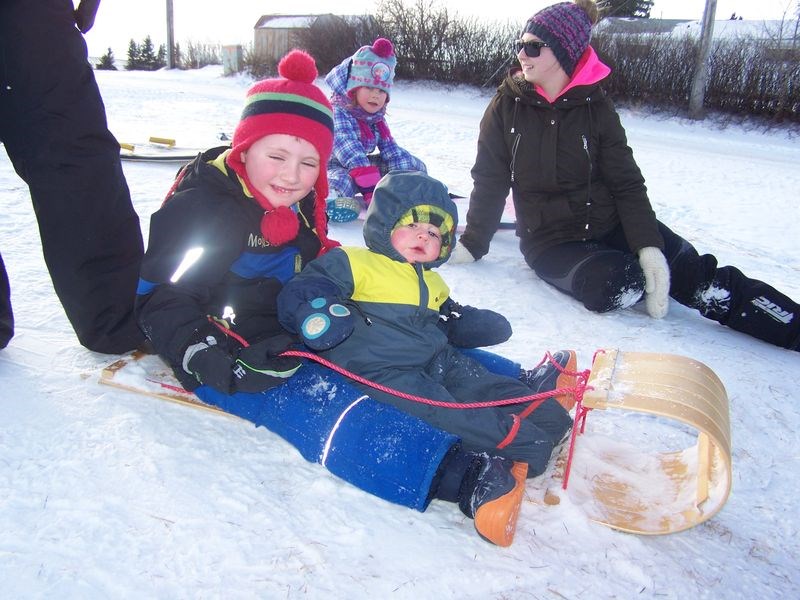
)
(605, 275)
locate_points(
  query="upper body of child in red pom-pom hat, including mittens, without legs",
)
(238, 223)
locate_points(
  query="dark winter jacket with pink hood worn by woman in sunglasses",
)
(568, 164)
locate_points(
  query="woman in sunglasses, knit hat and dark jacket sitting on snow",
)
(584, 220)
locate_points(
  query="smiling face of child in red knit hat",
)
(282, 167)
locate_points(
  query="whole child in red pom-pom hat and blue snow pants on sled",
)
(238, 224)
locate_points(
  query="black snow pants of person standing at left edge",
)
(53, 125)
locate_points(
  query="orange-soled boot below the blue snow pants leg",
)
(496, 498)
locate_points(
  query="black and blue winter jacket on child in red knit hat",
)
(237, 272)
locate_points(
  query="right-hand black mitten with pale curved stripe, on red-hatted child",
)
(258, 367)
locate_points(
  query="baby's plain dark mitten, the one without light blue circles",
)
(470, 327)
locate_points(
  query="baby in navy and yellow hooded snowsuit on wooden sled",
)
(375, 311)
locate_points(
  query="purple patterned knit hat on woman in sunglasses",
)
(566, 28)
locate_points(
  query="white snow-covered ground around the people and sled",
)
(107, 494)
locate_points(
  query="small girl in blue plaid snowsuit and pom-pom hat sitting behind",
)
(363, 146)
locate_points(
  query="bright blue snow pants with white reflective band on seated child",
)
(374, 446)
